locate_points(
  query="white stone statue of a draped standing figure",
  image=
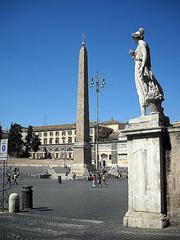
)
(149, 90)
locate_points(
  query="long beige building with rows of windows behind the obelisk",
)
(58, 142)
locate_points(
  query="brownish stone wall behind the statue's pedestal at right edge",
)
(173, 175)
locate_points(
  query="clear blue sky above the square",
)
(39, 50)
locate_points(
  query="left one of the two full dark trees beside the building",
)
(15, 143)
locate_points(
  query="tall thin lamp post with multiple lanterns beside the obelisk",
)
(100, 82)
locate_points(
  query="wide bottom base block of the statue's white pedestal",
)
(145, 220)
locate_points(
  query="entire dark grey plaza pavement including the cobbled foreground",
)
(74, 210)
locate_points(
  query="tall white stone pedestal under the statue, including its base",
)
(146, 172)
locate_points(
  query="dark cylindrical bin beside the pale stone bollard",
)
(27, 197)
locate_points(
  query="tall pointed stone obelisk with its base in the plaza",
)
(82, 147)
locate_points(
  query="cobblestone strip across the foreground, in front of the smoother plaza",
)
(33, 226)
